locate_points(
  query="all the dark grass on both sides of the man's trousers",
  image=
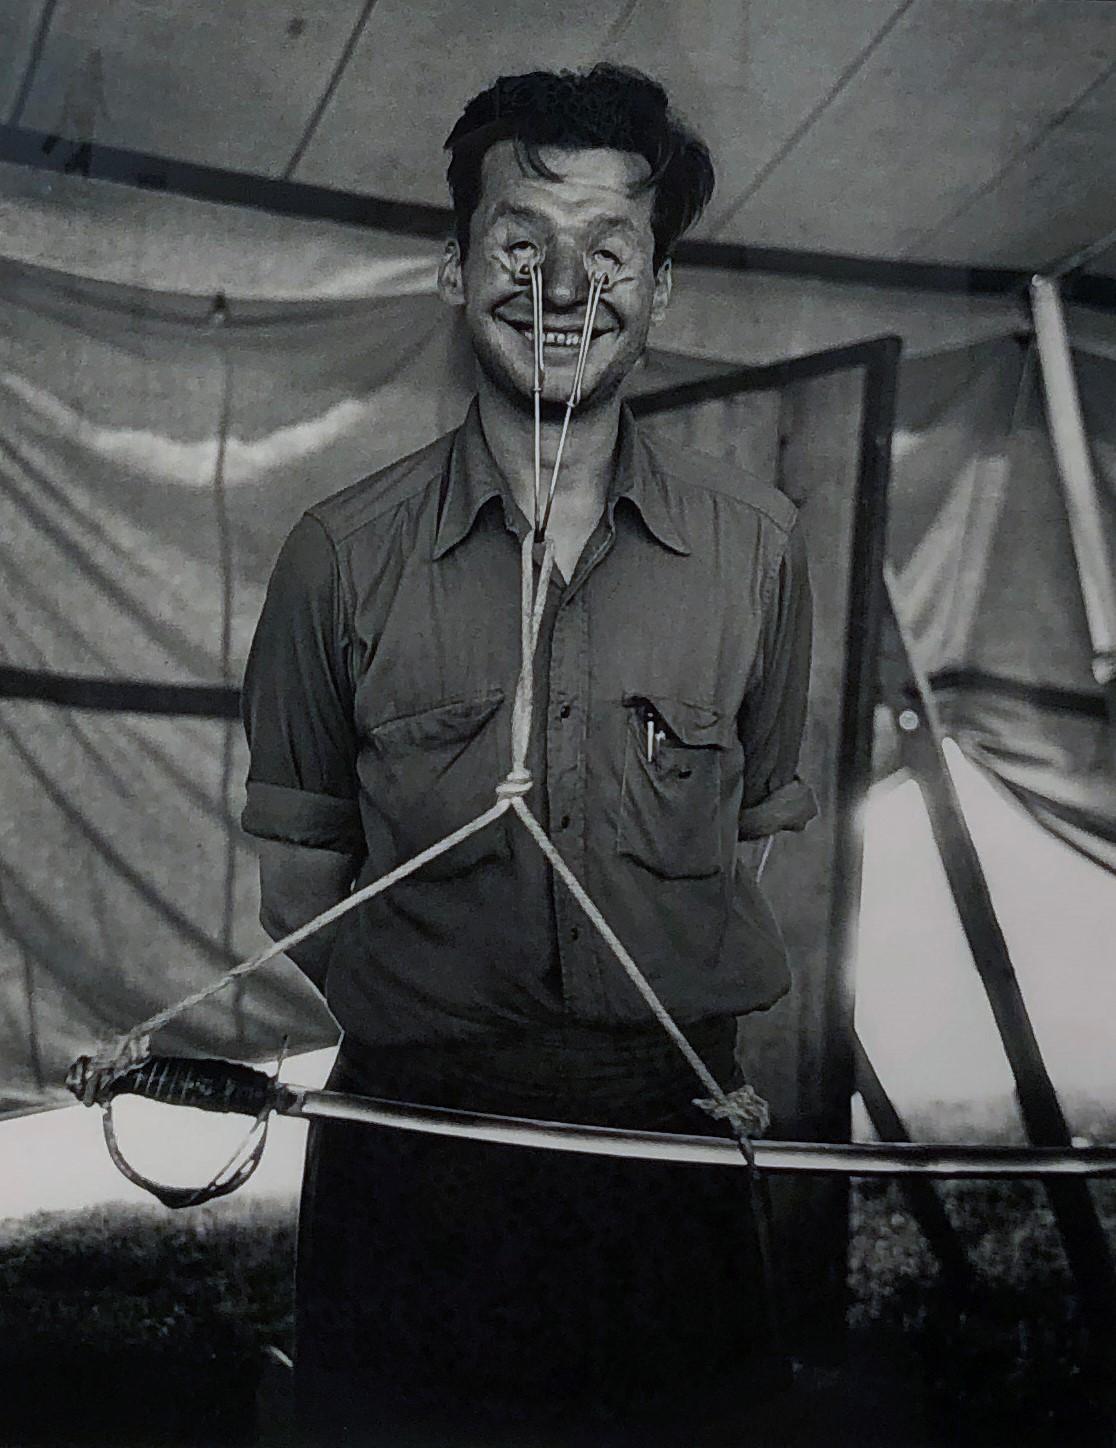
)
(141, 1329)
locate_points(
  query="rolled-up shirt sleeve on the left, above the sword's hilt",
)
(297, 704)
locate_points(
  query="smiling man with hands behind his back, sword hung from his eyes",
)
(451, 1289)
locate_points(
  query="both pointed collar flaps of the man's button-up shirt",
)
(473, 480)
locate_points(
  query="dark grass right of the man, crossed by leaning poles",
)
(1002, 1357)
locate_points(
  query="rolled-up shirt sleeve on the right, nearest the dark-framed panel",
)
(775, 709)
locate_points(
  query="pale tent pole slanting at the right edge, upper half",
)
(1083, 505)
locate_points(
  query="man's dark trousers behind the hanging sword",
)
(455, 1292)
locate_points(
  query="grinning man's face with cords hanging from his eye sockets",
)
(593, 216)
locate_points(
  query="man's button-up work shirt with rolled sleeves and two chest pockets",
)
(671, 691)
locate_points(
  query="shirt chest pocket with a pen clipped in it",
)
(672, 786)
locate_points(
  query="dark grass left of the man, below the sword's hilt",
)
(141, 1329)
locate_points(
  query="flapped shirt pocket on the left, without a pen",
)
(435, 771)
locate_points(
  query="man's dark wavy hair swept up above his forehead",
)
(609, 106)
